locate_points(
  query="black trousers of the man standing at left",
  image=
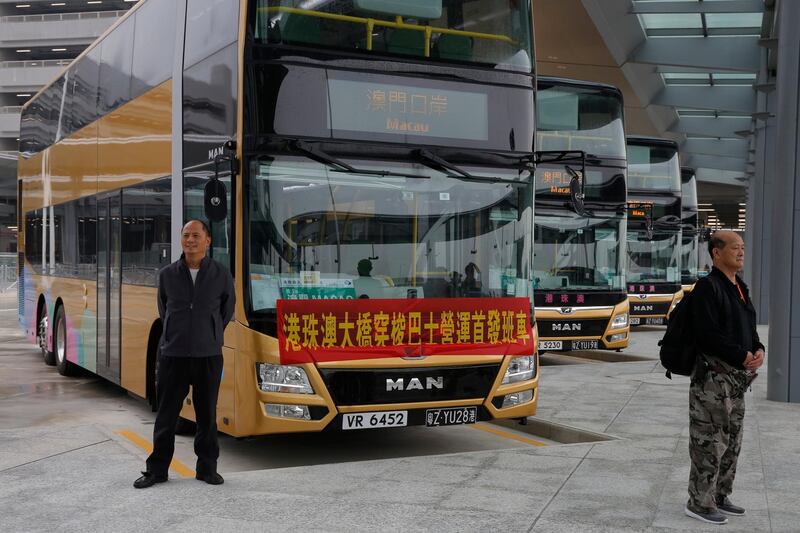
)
(174, 375)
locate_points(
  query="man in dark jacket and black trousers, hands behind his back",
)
(195, 301)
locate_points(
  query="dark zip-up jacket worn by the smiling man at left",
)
(194, 314)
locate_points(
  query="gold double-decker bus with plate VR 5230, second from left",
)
(579, 235)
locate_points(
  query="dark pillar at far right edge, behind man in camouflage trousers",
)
(783, 378)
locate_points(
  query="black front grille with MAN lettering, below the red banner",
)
(396, 385)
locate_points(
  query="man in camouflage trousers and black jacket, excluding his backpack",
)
(725, 321)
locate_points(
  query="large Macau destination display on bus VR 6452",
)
(374, 107)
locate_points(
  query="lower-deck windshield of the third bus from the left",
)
(653, 260)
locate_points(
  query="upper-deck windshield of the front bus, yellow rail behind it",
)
(497, 33)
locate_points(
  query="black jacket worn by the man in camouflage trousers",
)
(724, 325)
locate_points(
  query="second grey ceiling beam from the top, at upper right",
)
(740, 54)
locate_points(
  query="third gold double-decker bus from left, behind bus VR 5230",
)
(654, 230)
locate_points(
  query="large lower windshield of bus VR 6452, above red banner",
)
(319, 233)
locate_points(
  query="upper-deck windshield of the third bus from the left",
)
(653, 168)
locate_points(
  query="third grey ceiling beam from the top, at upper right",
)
(720, 98)
